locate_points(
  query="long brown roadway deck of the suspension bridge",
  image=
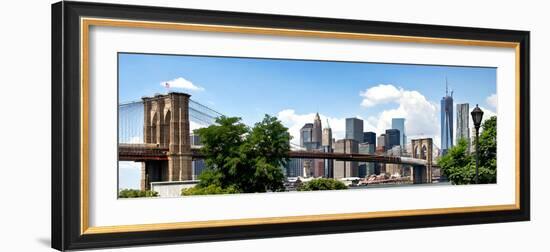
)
(152, 152)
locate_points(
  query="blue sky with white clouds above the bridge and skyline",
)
(294, 90)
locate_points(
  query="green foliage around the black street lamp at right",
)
(459, 164)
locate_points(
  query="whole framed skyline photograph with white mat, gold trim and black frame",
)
(180, 125)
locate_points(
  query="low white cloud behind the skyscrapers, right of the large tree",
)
(294, 122)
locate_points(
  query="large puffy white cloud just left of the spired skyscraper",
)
(421, 116)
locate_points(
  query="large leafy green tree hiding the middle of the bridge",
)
(240, 159)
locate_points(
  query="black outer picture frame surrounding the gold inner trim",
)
(66, 125)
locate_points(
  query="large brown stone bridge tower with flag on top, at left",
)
(166, 125)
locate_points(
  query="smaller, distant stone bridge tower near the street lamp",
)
(422, 149)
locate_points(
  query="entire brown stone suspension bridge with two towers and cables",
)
(155, 131)
